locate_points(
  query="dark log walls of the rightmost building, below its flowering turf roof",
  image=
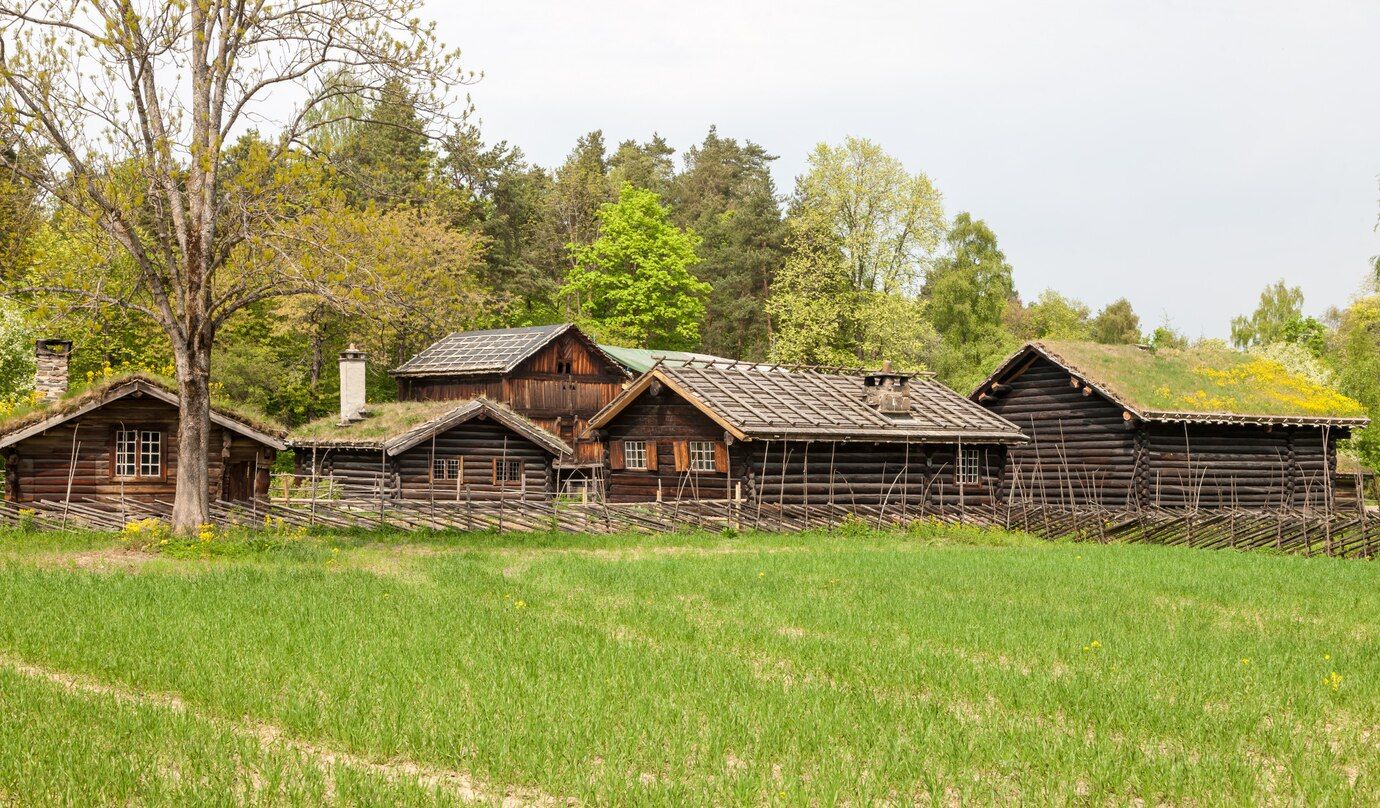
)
(1084, 452)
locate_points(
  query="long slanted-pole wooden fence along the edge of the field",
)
(1352, 534)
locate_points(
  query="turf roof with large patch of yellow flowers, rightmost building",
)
(1208, 380)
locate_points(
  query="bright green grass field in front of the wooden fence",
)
(699, 669)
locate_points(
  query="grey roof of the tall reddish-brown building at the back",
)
(496, 351)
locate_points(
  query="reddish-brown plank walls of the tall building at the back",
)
(560, 388)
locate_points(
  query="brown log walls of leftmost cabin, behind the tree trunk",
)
(38, 468)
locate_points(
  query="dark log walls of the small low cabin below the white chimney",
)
(478, 446)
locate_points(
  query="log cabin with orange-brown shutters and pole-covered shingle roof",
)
(800, 438)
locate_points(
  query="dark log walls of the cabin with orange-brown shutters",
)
(785, 472)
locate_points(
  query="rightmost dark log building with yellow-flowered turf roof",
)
(1127, 427)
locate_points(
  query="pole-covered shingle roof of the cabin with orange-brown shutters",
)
(771, 403)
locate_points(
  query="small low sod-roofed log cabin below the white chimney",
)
(467, 452)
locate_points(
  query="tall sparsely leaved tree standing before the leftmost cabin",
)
(133, 103)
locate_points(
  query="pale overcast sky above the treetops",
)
(1181, 154)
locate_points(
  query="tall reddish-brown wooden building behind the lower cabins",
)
(553, 374)
